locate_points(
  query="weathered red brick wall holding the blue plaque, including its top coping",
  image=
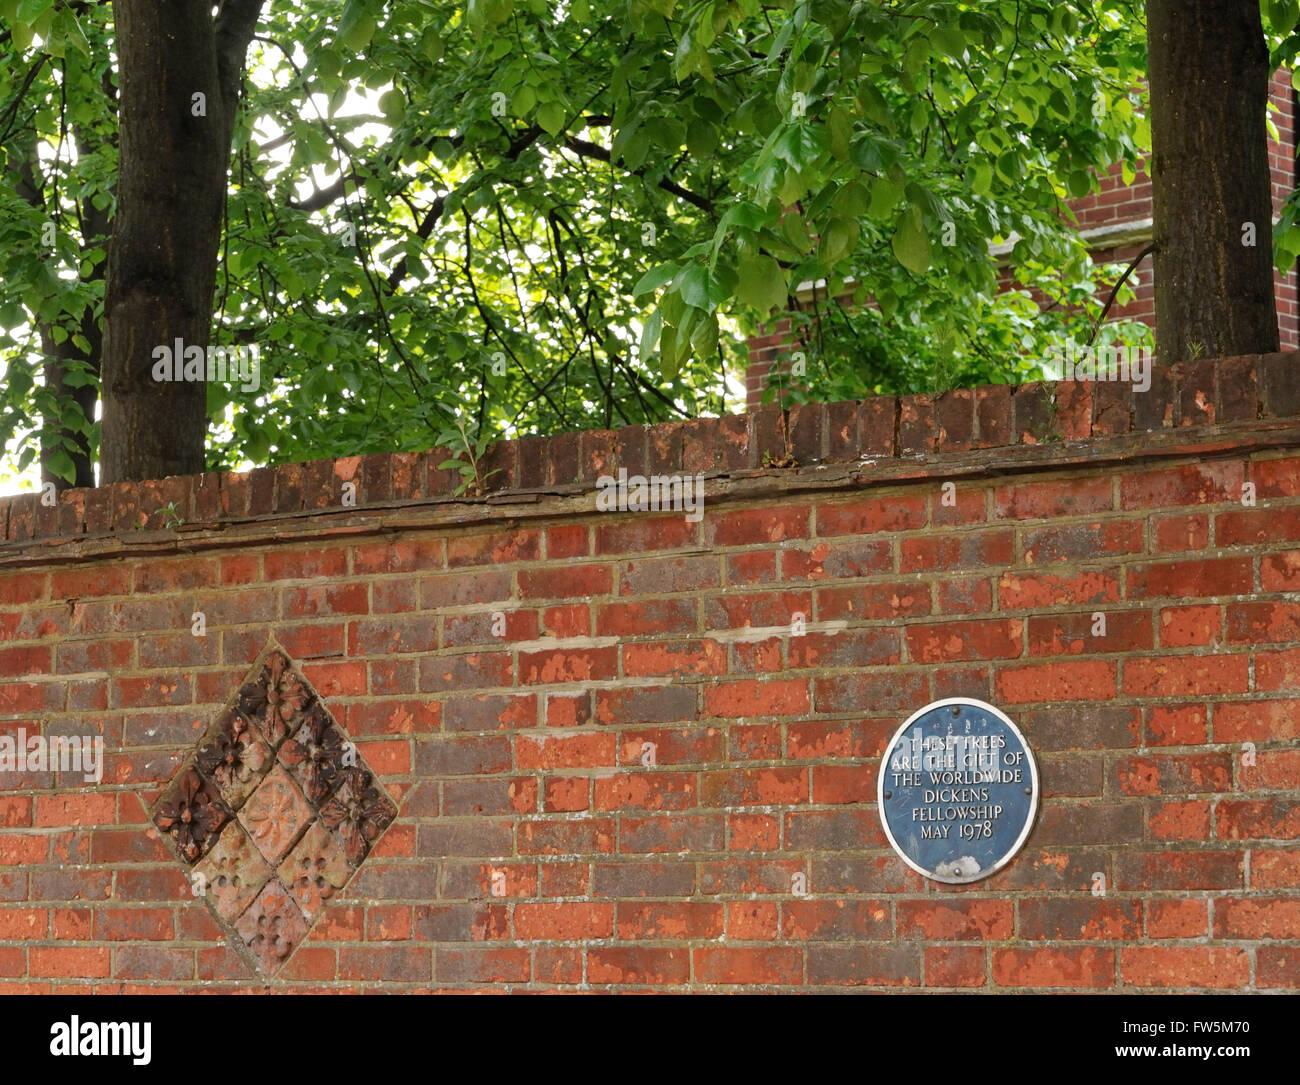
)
(536, 849)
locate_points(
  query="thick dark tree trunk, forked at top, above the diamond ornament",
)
(174, 155)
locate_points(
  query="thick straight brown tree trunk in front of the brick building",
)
(1208, 72)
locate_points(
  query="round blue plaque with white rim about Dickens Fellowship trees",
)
(959, 791)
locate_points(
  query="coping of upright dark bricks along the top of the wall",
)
(1233, 403)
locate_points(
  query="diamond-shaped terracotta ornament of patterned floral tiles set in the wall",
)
(274, 813)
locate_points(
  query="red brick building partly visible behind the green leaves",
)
(1117, 222)
